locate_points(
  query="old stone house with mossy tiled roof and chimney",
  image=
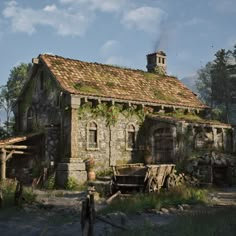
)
(116, 115)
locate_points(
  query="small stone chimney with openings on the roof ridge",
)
(156, 62)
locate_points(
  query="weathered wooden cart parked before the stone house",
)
(140, 177)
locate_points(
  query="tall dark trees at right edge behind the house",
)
(216, 82)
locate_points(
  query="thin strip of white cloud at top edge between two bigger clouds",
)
(102, 5)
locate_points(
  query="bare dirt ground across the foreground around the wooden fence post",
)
(58, 213)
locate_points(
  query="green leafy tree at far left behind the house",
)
(10, 91)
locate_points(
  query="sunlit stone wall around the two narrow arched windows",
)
(112, 146)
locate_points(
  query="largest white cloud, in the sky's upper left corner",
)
(64, 21)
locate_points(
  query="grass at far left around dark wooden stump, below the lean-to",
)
(8, 190)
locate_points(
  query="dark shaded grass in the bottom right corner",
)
(208, 223)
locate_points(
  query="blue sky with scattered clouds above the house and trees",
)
(119, 32)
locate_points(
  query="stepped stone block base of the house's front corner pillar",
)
(75, 169)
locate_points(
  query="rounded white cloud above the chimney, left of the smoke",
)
(147, 19)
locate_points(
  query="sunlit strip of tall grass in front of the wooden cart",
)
(142, 202)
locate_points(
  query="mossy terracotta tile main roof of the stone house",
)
(78, 77)
